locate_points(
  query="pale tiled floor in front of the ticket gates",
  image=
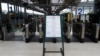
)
(19, 48)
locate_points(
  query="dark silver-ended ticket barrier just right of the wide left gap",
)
(29, 31)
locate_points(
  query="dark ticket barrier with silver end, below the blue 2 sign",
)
(79, 31)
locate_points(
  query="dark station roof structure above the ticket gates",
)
(45, 4)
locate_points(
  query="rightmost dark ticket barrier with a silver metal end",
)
(92, 31)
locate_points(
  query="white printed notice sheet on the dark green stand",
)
(53, 26)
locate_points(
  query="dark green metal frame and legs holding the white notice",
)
(44, 38)
